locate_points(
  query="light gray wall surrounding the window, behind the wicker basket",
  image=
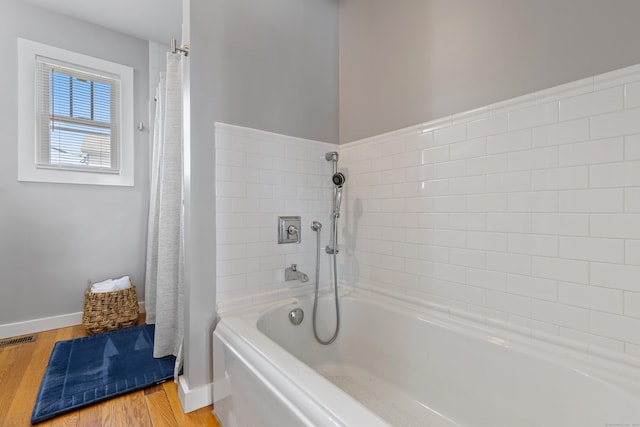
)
(55, 237)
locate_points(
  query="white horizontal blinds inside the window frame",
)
(77, 118)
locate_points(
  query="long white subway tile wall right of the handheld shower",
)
(526, 212)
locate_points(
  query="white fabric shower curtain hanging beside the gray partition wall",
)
(164, 284)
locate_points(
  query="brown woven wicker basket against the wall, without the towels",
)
(108, 311)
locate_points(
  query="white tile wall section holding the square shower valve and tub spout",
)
(260, 176)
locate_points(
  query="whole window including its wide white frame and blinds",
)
(76, 117)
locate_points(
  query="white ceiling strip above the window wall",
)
(155, 20)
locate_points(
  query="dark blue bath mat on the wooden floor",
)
(92, 369)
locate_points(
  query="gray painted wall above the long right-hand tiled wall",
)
(409, 61)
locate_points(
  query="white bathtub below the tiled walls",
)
(399, 364)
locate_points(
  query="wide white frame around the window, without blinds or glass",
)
(28, 169)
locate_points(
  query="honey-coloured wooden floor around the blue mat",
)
(22, 367)
